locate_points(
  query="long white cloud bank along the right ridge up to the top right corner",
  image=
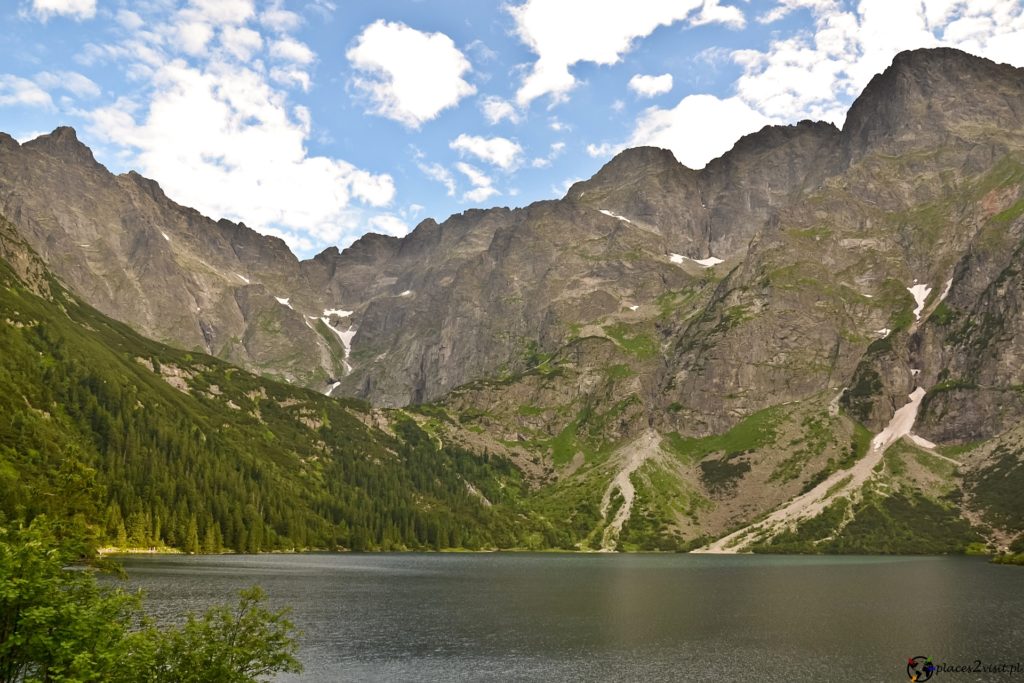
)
(816, 75)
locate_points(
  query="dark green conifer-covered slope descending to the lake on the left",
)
(237, 462)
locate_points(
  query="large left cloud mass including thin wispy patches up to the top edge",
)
(220, 133)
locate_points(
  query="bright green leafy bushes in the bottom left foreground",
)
(58, 624)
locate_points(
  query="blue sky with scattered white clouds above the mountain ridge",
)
(321, 120)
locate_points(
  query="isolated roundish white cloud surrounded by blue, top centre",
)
(410, 76)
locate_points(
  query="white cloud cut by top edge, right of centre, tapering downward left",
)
(602, 32)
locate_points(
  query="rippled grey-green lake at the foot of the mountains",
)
(616, 618)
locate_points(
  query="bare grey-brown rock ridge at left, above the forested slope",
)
(173, 274)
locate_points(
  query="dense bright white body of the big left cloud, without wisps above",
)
(223, 141)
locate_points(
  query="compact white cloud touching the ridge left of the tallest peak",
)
(699, 130)
